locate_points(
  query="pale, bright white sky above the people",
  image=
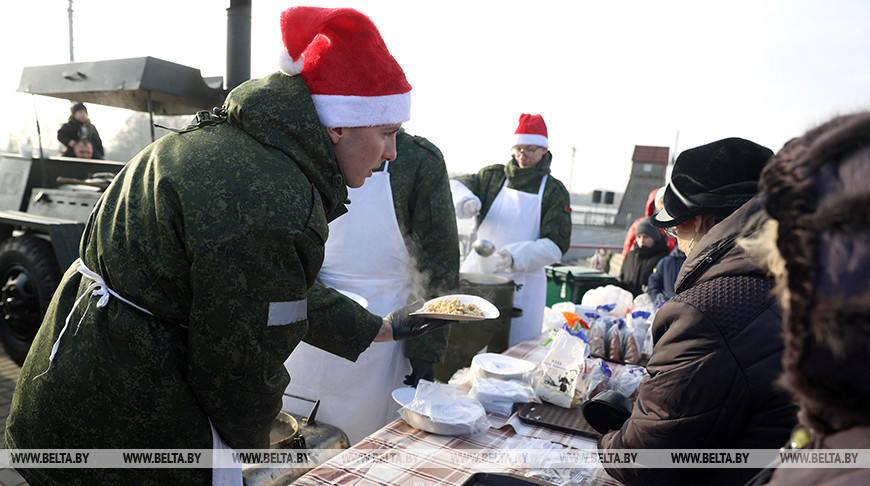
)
(606, 76)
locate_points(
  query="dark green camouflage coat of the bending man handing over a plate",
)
(219, 232)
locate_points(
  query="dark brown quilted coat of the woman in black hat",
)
(717, 352)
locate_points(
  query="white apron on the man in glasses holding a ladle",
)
(516, 216)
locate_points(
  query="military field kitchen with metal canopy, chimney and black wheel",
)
(45, 201)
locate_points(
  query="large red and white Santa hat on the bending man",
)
(353, 78)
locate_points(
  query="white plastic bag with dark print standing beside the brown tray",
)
(557, 377)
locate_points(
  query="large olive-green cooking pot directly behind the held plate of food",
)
(467, 338)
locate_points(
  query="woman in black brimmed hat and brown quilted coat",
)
(717, 344)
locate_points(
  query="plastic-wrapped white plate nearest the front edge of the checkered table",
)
(443, 409)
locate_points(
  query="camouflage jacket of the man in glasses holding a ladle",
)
(555, 203)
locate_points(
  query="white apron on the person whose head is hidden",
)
(366, 255)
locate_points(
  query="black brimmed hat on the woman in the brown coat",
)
(716, 178)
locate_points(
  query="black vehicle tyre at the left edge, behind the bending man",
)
(29, 275)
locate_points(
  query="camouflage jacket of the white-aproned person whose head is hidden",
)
(424, 209)
